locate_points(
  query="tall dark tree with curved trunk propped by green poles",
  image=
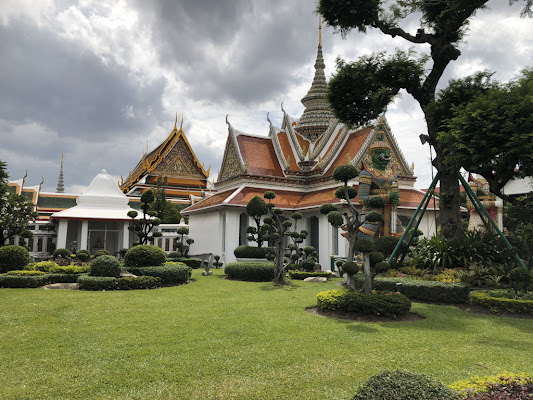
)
(361, 90)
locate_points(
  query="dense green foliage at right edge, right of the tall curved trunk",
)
(488, 127)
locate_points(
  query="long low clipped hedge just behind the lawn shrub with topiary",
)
(439, 292)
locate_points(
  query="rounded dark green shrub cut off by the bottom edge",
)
(401, 385)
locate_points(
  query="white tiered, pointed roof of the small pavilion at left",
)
(102, 200)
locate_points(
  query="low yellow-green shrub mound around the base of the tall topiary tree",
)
(376, 304)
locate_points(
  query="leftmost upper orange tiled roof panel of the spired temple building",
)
(260, 156)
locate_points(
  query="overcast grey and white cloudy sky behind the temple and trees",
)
(99, 81)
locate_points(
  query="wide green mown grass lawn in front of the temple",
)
(221, 339)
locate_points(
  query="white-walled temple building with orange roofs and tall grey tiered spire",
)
(296, 161)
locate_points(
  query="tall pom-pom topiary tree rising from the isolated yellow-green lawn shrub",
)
(351, 220)
